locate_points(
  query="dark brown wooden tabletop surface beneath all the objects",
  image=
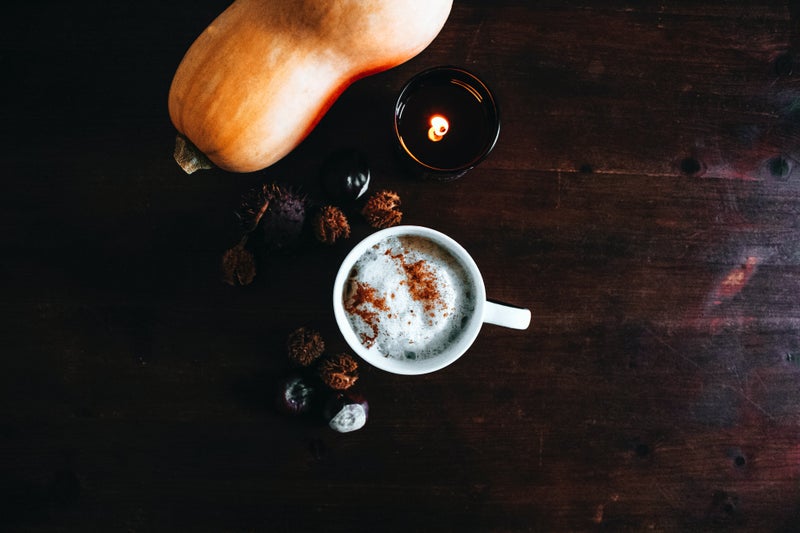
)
(643, 200)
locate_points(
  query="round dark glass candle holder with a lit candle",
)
(446, 121)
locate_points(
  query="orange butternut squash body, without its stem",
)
(261, 76)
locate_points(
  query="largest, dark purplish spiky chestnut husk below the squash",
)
(279, 212)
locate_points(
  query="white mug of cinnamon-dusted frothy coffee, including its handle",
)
(410, 300)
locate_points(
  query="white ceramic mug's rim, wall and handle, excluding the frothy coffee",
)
(458, 340)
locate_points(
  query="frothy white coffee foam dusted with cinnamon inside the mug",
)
(407, 297)
